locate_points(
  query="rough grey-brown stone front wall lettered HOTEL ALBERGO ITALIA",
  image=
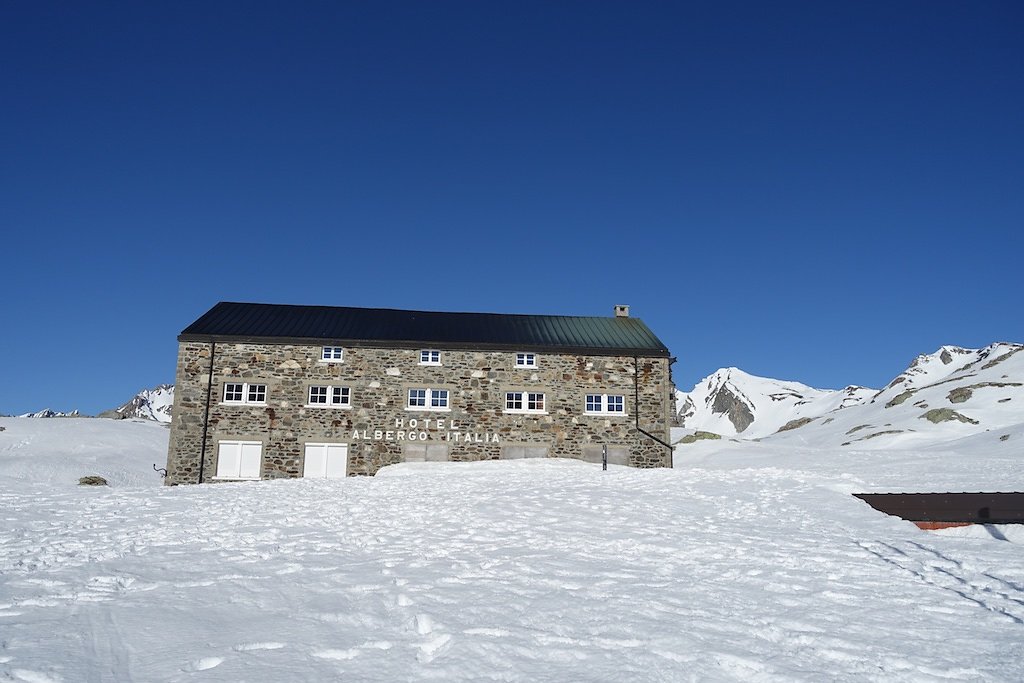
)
(378, 423)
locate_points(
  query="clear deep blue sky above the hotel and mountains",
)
(808, 191)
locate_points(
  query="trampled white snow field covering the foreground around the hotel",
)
(747, 563)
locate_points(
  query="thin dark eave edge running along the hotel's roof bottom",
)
(370, 344)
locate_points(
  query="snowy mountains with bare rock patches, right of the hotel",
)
(949, 395)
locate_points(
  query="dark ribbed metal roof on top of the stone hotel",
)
(381, 327)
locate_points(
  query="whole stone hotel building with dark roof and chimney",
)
(266, 392)
